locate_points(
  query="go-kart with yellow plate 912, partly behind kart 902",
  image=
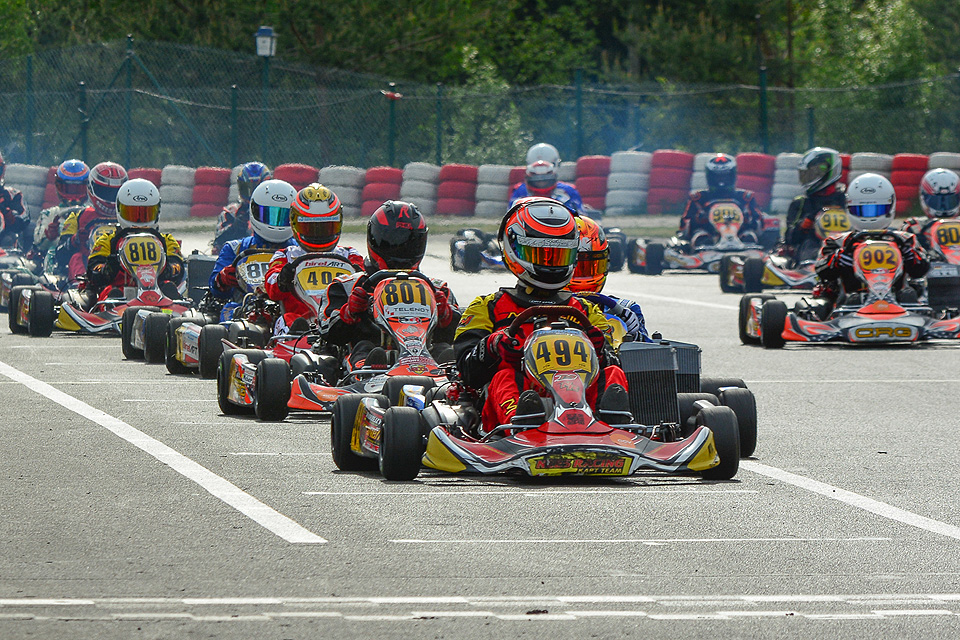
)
(739, 274)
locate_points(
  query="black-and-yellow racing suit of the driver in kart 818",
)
(106, 276)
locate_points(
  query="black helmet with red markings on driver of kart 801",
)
(396, 236)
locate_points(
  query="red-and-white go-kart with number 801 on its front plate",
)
(404, 308)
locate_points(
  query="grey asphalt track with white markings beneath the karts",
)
(133, 508)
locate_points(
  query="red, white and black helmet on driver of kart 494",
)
(539, 240)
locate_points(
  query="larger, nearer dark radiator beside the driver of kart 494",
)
(652, 377)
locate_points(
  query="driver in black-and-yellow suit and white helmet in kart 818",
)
(138, 211)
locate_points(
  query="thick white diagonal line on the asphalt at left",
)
(220, 488)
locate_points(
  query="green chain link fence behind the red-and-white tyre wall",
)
(152, 104)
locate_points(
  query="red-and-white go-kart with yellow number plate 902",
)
(877, 315)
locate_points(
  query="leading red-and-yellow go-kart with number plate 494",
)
(446, 434)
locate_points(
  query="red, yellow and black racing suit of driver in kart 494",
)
(503, 379)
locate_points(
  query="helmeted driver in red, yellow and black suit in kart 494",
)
(539, 239)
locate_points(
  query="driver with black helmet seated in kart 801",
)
(396, 239)
